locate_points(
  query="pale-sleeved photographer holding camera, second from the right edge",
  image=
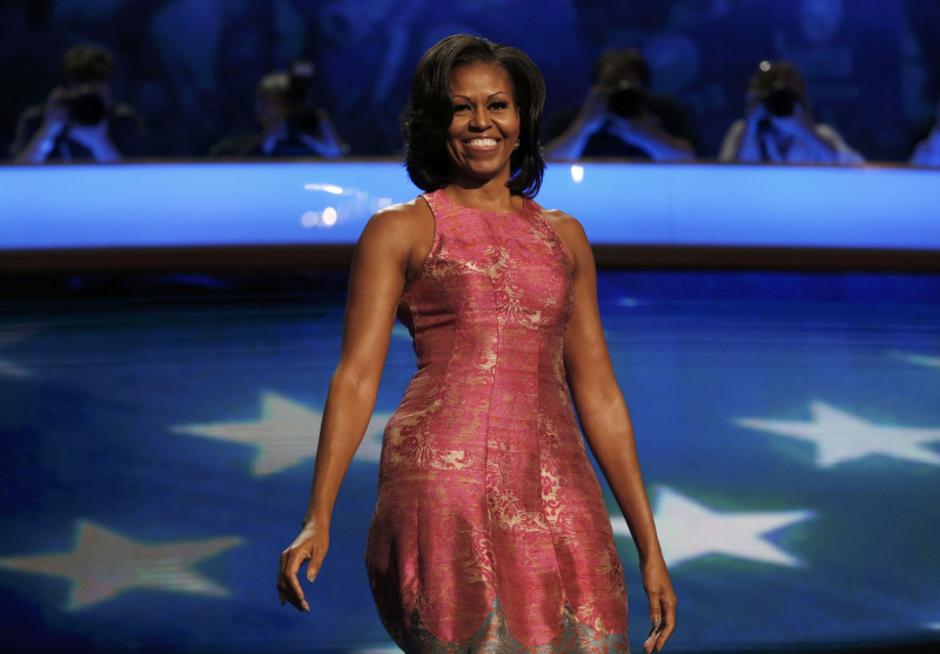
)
(779, 125)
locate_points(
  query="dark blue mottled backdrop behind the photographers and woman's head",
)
(191, 65)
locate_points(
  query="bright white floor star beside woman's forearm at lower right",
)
(688, 530)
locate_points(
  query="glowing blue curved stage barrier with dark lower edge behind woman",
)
(310, 213)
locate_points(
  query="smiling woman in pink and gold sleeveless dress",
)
(490, 531)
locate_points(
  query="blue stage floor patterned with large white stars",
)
(159, 432)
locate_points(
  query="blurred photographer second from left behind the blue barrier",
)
(291, 124)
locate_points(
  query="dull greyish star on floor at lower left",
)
(104, 564)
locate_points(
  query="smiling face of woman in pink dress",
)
(485, 126)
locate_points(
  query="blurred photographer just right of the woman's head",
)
(621, 117)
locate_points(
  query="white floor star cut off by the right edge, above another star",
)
(840, 436)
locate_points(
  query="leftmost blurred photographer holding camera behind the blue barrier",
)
(79, 121)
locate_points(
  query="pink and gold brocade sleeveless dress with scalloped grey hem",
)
(490, 533)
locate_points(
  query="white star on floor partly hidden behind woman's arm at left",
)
(286, 434)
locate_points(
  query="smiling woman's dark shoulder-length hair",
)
(430, 111)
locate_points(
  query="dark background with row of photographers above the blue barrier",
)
(808, 81)
